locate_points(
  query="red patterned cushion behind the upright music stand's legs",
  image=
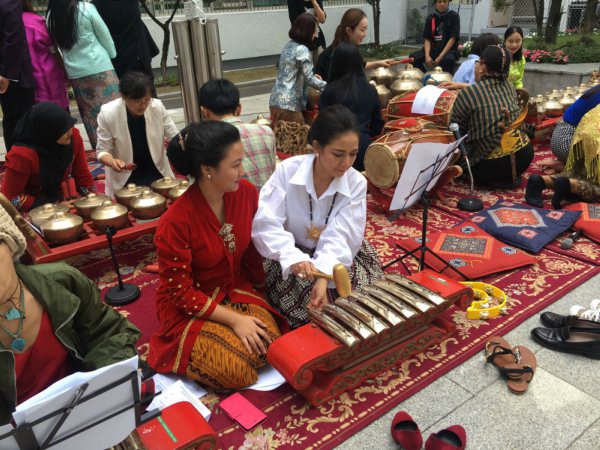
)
(470, 250)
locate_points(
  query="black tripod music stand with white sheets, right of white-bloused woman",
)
(427, 174)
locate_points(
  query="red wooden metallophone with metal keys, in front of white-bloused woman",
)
(370, 331)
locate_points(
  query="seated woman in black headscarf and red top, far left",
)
(47, 163)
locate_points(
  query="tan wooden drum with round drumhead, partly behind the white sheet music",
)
(385, 158)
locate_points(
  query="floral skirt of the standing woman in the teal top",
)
(91, 93)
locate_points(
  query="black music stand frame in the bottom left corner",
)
(24, 436)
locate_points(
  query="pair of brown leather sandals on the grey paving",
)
(516, 364)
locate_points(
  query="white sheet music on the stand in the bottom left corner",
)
(61, 394)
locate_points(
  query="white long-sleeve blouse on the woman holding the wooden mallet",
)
(283, 216)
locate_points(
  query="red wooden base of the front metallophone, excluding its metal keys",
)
(320, 367)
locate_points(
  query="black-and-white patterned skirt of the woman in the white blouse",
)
(290, 297)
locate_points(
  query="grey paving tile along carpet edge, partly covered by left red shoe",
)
(426, 407)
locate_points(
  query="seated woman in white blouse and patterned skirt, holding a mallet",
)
(312, 215)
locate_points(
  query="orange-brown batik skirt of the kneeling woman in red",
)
(220, 360)
